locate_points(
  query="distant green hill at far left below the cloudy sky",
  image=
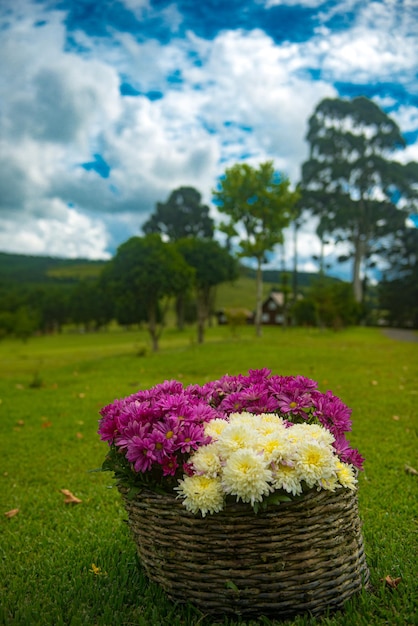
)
(19, 268)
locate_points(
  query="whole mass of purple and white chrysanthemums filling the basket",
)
(257, 438)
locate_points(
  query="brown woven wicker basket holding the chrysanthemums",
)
(301, 556)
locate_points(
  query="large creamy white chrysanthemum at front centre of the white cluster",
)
(246, 475)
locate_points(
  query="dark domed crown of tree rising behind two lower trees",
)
(183, 215)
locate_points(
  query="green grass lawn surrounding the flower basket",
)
(51, 390)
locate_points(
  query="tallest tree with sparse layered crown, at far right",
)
(349, 181)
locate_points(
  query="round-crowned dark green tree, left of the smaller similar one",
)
(151, 271)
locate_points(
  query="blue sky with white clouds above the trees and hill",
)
(106, 106)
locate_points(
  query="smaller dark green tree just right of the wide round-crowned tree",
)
(213, 265)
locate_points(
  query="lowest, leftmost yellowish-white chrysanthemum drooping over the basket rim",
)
(201, 493)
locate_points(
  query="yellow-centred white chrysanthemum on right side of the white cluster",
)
(315, 462)
